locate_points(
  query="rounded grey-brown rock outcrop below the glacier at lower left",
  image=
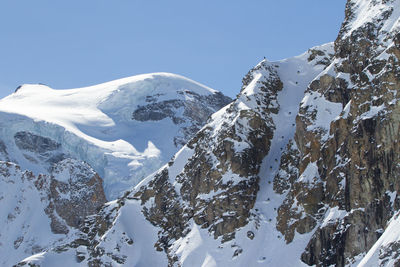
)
(75, 191)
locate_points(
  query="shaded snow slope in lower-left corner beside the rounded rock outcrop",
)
(21, 211)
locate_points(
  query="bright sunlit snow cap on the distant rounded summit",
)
(95, 105)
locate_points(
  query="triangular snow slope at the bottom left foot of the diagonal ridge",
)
(130, 241)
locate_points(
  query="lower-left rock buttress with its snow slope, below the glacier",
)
(39, 212)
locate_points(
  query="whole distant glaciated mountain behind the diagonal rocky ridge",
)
(64, 153)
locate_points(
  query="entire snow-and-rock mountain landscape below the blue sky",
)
(301, 169)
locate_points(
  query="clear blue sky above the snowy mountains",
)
(75, 43)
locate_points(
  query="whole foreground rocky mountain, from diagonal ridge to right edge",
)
(301, 169)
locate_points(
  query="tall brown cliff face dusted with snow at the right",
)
(348, 160)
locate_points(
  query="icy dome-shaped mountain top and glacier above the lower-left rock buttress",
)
(125, 129)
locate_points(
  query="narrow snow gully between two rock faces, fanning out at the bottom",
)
(268, 248)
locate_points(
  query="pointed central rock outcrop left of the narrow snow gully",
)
(213, 180)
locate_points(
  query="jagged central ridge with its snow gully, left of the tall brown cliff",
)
(197, 209)
